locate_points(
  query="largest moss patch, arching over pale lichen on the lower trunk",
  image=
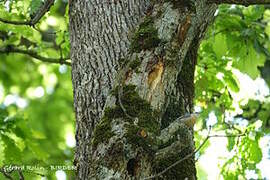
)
(135, 107)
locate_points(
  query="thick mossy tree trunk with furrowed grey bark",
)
(133, 67)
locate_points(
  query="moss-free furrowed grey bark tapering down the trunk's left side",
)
(99, 38)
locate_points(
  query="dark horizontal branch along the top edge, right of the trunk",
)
(240, 2)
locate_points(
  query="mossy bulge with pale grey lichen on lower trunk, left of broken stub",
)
(125, 138)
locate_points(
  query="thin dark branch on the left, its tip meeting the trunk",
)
(12, 49)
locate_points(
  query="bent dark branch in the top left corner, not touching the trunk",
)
(41, 12)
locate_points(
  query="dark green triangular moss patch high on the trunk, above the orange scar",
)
(146, 37)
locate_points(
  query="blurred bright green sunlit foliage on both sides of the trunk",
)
(36, 113)
